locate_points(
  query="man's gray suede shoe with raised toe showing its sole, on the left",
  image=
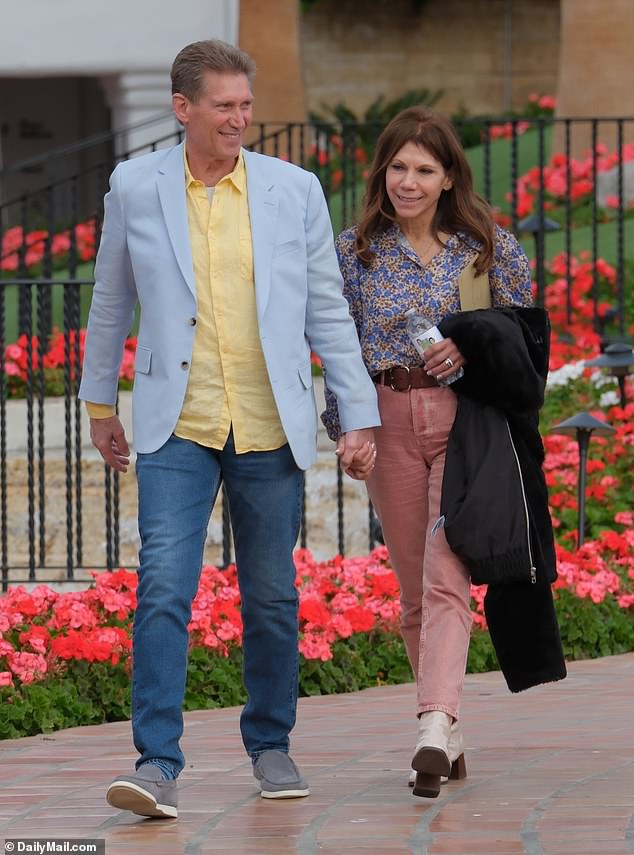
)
(146, 793)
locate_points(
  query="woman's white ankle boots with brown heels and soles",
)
(439, 754)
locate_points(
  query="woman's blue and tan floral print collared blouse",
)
(397, 280)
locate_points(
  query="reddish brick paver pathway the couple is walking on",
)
(551, 772)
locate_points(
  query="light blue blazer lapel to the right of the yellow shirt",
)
(263, 208)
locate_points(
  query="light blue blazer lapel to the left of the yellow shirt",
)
(173, 198)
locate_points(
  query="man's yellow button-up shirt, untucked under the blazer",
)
(228, 383)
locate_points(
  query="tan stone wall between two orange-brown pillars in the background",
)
(486, 55)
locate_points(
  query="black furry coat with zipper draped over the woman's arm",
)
(495, 500)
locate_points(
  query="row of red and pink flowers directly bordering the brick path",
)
(65, 657)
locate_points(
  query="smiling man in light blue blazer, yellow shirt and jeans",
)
(230, 256)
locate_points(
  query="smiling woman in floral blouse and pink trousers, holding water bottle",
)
(421, 228)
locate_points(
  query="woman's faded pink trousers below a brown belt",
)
(405, 489)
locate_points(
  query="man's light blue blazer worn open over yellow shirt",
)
(145, 257)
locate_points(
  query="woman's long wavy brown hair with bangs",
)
(459, 208)
